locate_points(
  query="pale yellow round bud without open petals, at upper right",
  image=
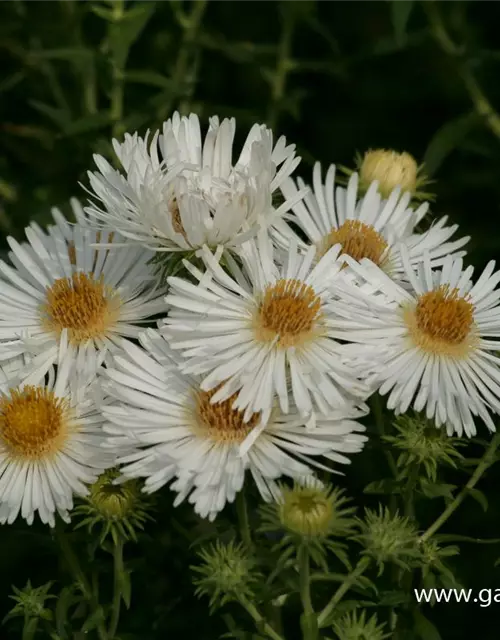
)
(391, 169)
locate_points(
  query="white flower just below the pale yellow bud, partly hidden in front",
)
(366, 226)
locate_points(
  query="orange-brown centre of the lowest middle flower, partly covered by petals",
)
(220, 421)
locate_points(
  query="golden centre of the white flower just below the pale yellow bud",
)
(358, 240)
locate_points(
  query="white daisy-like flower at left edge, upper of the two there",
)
(62, 288)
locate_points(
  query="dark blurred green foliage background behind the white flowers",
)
(335, 78)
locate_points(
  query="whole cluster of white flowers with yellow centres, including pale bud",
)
(258, 356)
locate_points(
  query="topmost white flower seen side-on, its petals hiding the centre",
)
(179, 191)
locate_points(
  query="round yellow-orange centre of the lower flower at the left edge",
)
(33, 423)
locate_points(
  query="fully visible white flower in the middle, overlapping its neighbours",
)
(261, 328)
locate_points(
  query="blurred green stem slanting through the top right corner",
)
(482, 105)
